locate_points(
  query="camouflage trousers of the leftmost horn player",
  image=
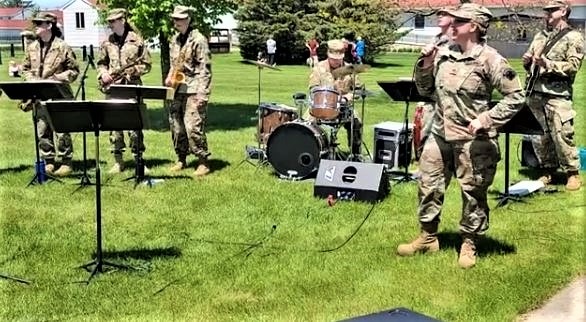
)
(46, 135)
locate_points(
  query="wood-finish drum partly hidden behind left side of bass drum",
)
(272, 116)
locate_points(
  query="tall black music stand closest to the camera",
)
(96, 116)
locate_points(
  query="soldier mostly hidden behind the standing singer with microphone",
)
(444, 20)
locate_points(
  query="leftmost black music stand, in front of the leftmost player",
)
(37, 90)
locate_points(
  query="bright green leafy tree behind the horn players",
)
(151, 18)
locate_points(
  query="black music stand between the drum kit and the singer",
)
(404, 91)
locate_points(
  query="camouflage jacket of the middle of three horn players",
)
(113, 56)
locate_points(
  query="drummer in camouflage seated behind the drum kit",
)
(335, 89)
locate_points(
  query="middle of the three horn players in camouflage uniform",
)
(123, 58)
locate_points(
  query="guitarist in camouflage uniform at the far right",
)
(550, 99)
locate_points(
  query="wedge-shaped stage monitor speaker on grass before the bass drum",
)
(345, 180)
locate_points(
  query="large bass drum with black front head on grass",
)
(294, 149)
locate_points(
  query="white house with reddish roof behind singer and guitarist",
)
(420, 26)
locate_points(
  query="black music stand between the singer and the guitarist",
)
(524, 122)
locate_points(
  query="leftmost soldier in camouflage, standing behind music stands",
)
(49, 57)
